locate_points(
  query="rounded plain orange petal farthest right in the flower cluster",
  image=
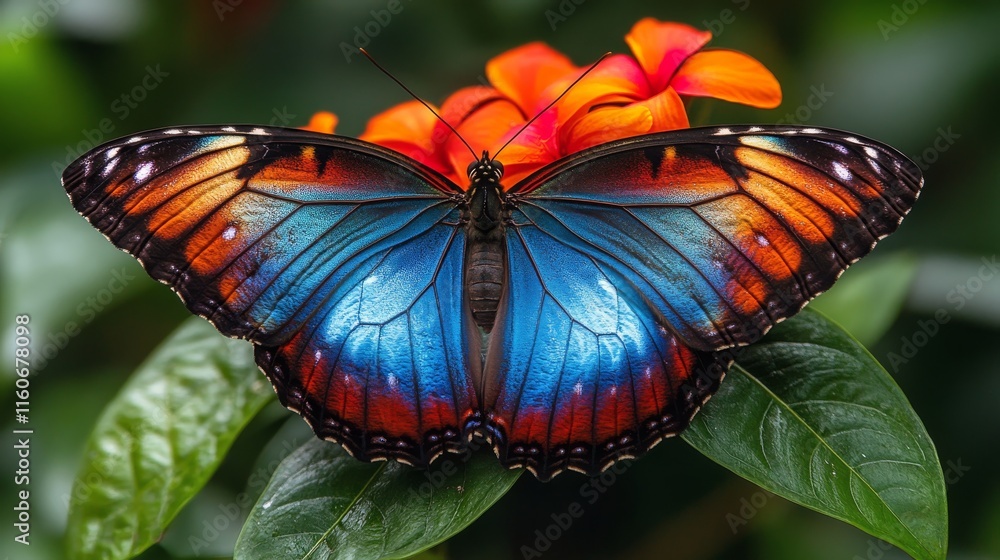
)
(729, 75)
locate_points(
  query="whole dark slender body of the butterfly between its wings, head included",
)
(485, 212)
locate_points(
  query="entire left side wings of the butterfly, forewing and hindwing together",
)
(340, 261)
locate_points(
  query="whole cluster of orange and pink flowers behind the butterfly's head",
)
(624, 96)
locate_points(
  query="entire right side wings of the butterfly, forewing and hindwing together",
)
(633, 265)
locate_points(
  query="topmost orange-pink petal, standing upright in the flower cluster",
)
(662, 46)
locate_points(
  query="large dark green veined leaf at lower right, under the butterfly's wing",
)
(808, 414)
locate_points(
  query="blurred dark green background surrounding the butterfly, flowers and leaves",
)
(930, 75)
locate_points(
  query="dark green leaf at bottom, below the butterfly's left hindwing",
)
(322, 503)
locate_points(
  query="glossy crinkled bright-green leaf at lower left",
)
(160, 440)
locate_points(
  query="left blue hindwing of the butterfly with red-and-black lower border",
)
(385, 369)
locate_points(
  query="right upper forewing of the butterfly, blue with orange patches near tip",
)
(726, 232)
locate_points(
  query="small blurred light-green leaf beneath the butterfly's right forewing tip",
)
(870, 296)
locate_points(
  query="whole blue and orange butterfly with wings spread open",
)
(574, 318)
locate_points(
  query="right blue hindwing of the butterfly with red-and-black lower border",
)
(580, 370)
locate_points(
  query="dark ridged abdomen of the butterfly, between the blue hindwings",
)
(484, 275)
